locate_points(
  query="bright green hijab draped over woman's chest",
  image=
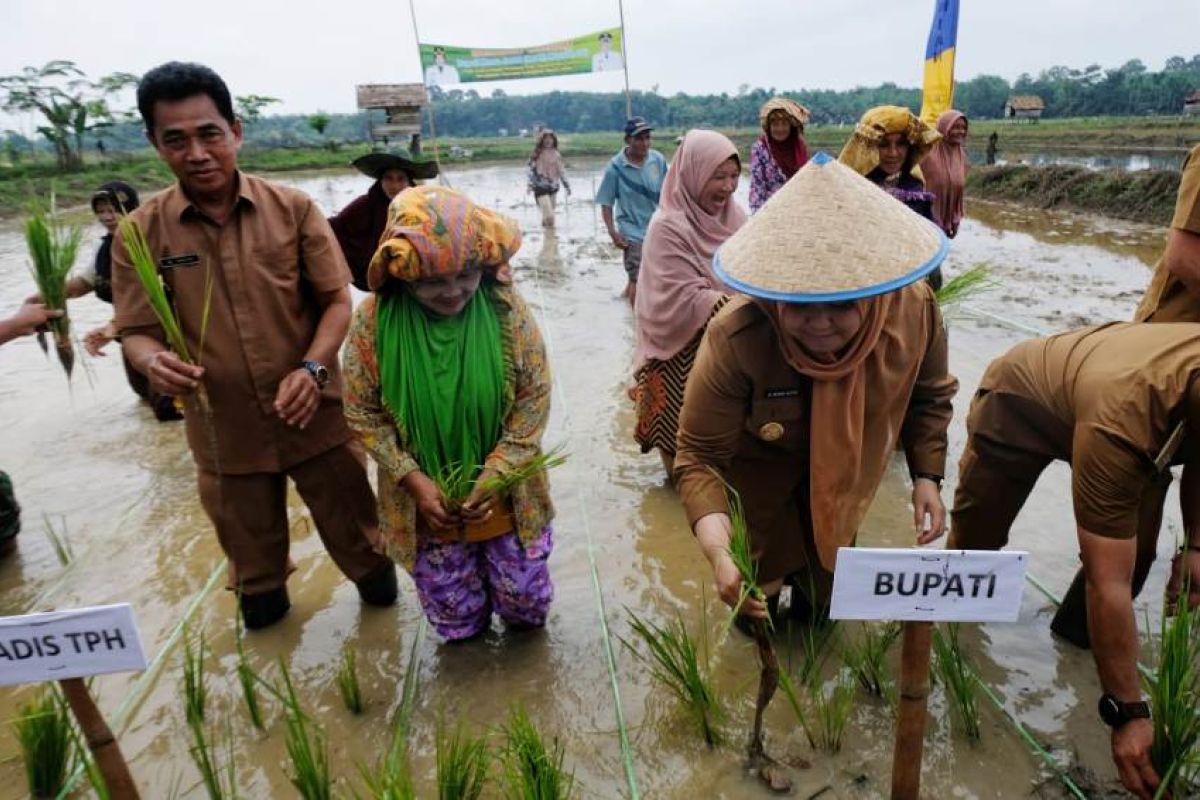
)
(442, 377)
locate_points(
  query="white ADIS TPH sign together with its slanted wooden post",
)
(68, 647)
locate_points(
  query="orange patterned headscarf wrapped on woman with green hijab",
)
(435, 232)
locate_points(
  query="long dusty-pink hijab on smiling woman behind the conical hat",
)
(677, 288)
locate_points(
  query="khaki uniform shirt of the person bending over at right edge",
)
(1121, 389)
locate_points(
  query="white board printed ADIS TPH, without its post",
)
(77, 643)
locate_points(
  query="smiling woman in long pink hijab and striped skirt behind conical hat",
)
(677, 292)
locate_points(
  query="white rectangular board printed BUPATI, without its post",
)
(928, 586)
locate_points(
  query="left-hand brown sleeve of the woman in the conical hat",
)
(711, 425)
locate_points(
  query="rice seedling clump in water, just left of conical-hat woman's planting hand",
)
(675, 664)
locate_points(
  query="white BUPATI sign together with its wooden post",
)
(920, 588)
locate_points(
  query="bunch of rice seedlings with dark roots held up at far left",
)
(52, 250)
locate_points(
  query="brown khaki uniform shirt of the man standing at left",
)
(268, 262)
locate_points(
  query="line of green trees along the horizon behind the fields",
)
(76, 113)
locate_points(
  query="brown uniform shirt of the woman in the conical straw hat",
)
(747, 416)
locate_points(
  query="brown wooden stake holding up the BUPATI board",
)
(911, 723)
